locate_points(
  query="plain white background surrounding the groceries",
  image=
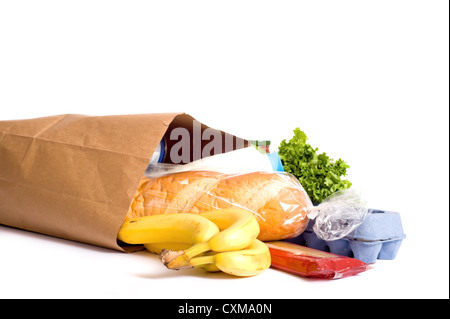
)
(366, 80)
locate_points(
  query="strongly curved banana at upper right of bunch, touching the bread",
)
(238, 228)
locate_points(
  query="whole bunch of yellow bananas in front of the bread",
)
(217, 240)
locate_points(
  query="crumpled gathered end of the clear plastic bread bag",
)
(338, 215)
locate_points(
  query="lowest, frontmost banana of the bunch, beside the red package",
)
(250, 261)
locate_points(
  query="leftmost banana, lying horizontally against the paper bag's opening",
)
(168, 228)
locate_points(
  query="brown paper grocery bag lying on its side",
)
(74, 176)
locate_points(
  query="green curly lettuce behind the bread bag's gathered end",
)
(319, 175)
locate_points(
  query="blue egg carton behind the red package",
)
(378, 237)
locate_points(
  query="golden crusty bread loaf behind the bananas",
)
(277, 200)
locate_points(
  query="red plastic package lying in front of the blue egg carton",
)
(308, 262)
